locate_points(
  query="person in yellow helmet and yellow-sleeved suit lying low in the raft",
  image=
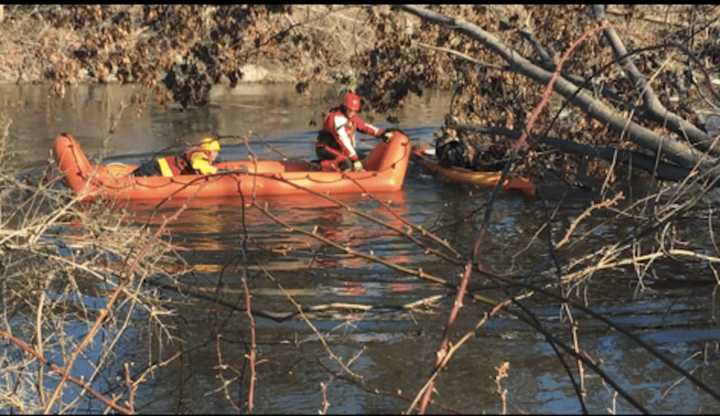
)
(197, 160)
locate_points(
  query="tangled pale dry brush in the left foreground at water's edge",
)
(73, 286)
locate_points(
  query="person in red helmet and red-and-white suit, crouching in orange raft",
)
(335, 145)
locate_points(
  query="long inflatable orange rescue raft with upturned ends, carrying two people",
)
(385, 168)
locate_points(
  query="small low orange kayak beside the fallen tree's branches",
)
(472, 177)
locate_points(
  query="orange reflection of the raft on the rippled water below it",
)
(213, 227)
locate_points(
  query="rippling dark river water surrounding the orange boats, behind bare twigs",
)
(394, 350)
